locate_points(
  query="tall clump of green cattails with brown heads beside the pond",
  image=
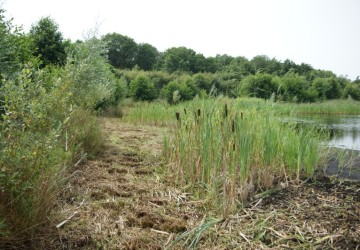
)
(224, 154)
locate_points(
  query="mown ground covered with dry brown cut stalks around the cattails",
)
(123, 200)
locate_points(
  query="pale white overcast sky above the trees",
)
(322, 33)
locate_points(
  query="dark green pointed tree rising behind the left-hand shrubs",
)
(48, 41)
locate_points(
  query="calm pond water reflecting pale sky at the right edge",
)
(344, 129)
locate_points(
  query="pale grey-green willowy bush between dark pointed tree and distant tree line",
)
(94, 84)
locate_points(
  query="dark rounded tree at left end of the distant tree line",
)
(122, 51)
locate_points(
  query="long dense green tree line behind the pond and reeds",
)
(180, 73)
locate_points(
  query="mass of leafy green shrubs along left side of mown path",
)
(47, 124)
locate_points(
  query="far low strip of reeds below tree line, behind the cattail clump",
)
(160, 113)
